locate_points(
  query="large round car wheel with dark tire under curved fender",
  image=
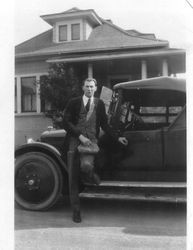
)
(38, 181)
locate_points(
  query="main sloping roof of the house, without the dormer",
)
(104, 37)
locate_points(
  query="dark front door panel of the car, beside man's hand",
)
(144, 150)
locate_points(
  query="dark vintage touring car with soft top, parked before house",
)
(151, 114)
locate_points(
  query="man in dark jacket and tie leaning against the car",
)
(83, 118)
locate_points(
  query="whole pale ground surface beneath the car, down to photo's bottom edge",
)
(106, 224)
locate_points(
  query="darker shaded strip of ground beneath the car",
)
(138, 218)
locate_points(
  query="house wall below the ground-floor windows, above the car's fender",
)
(29, 126)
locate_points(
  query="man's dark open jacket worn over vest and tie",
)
(71, 117)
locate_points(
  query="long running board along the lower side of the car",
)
(152, 191)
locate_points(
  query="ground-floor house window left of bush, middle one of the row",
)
(28, 94)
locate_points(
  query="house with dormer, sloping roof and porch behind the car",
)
(96, 48)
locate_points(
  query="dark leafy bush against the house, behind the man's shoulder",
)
(57, 88)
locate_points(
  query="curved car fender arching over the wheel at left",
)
(44, 148)
